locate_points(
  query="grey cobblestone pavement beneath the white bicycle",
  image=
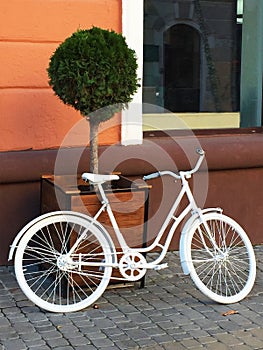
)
(169, 313)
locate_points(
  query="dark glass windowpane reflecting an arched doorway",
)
(192, 55)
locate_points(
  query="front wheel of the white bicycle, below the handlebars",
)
(221, 258)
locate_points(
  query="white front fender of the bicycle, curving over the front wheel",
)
(183, 246)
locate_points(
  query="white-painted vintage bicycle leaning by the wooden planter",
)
(64, 260)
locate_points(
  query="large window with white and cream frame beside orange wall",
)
(190, 61)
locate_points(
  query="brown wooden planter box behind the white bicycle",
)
(128, 202)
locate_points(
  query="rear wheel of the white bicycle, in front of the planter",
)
(54, 280)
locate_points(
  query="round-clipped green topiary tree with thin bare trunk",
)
(94, 71)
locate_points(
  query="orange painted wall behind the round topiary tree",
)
(30, 30)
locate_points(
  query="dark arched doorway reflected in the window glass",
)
(182, 69)
